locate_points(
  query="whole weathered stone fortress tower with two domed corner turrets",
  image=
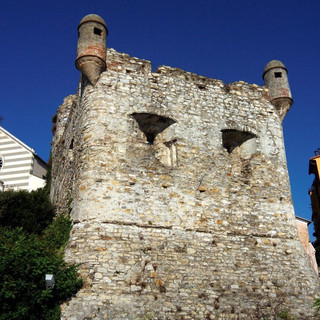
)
(179, 192)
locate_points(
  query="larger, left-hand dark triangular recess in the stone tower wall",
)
(151, 124)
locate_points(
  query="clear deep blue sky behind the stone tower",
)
(229, 40)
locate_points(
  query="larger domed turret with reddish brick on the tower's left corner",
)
(92, 47)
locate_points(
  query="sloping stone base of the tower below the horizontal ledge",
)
(144, 272)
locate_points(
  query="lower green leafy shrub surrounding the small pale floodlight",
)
(24, 261)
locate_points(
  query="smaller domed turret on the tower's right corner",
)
(275, 76)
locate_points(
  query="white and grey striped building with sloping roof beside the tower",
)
(20, 167)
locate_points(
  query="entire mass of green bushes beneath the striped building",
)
(31, 245)
